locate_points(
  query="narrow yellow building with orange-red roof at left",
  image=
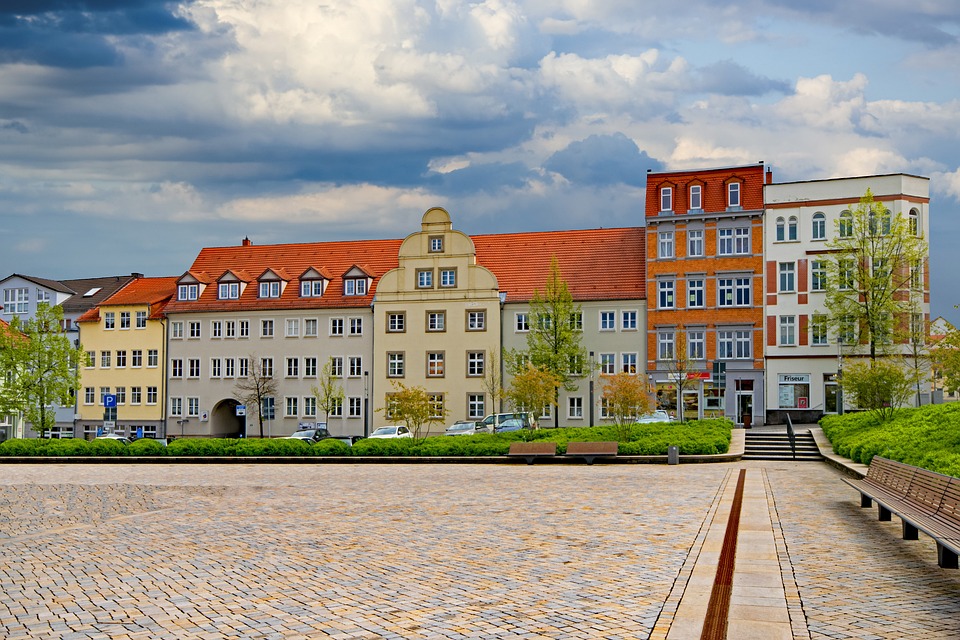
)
(124, 342)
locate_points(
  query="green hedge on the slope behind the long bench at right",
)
(927, 437)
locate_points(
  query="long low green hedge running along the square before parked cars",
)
(696, 437)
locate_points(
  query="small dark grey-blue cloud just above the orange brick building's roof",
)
(603, 160)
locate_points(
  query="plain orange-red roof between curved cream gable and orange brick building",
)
(597, 264)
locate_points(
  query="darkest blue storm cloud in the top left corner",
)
(74, 34)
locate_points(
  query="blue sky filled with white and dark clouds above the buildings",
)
(135, 132)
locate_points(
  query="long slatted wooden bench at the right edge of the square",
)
(923, 500)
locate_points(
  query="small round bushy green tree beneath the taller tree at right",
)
(881, 386)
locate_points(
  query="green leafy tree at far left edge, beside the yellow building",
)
(39, 367)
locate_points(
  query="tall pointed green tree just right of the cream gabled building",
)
(556, 331)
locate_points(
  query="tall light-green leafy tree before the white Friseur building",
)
(875, 259)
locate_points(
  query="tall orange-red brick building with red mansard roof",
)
(704, 247)
